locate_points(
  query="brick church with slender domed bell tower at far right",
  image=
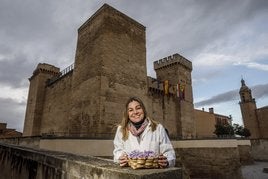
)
(255, 119)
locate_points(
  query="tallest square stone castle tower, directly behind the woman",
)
(110, 66)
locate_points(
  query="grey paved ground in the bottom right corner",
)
(255, 171)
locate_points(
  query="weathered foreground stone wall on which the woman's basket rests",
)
(20, 162)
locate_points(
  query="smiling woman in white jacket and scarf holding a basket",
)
(139, 132)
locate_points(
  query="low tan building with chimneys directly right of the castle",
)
(206, 121)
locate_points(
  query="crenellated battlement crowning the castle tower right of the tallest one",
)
(173, 60)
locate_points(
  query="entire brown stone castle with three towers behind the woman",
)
(87, 98)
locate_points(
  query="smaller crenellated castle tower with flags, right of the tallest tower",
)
(177, 71)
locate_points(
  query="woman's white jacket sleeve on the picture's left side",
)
(118, 145)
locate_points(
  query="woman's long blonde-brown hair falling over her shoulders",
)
(125, 119)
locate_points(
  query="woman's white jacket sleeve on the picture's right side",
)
(166, 147)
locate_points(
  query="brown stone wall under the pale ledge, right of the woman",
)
(211, 162)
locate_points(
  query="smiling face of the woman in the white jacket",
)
(135, 111)
